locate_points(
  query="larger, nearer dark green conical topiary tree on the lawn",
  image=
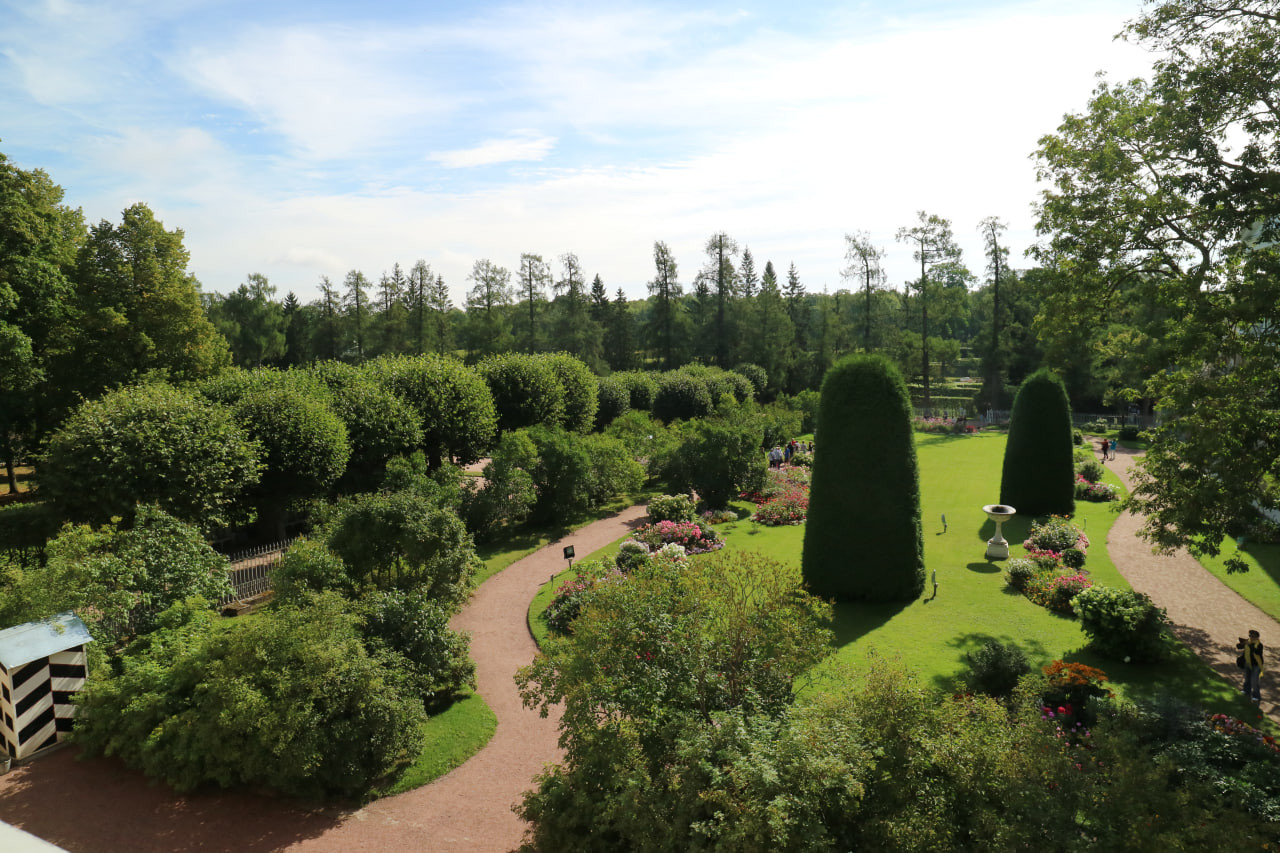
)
(863, 537)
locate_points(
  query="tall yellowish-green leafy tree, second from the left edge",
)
(138, 309)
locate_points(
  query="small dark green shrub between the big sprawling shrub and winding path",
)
(417, 627)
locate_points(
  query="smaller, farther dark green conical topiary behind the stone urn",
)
(1040, 472)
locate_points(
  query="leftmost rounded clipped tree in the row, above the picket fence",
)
(150, 445)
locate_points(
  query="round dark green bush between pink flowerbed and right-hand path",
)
(1123, 624)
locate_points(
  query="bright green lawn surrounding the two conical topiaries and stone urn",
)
(959, 475)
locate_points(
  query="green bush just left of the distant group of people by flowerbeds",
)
(719, 462)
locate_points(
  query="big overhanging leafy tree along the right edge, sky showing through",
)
(1163, 194)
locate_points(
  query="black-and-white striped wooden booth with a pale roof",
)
(42, 665)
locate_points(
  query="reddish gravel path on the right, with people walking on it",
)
(1206, 614)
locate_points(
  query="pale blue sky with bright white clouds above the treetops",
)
(308, 139)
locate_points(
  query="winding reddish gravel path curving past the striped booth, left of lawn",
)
(98, 805)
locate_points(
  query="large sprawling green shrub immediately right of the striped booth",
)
(290, 701)
